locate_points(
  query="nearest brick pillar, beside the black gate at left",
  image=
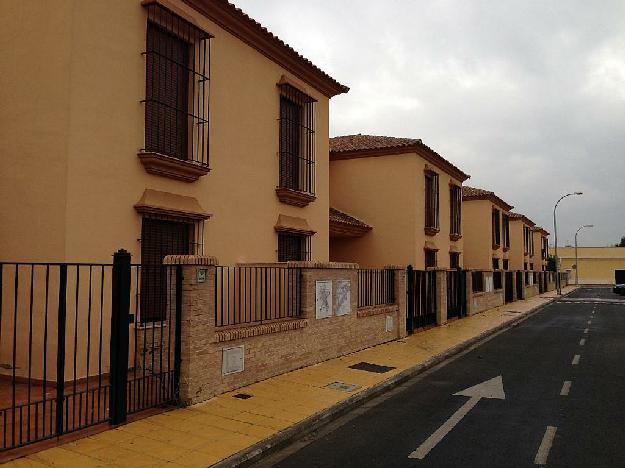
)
(197, 324)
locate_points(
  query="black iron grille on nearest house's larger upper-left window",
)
(177, 87)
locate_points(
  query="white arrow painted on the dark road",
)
(492, 388)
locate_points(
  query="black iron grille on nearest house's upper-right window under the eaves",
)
(297, 140)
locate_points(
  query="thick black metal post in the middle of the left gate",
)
(119, 336)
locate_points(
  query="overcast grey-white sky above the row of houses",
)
(527, 96)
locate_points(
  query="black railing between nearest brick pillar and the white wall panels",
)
(256, 294)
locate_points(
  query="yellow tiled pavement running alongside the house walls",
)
(204, 434)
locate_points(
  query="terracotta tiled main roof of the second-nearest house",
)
(351, 146)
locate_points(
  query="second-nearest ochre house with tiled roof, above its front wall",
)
(406, 200)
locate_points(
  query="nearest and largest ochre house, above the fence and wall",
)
(161, 127)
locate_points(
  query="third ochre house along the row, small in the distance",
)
(486, 230)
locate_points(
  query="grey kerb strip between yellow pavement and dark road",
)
(281, 439)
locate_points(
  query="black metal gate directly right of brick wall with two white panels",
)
(421, 298)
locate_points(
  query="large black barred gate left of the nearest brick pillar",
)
(74, 349)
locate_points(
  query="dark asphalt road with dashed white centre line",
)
(534, 360)
